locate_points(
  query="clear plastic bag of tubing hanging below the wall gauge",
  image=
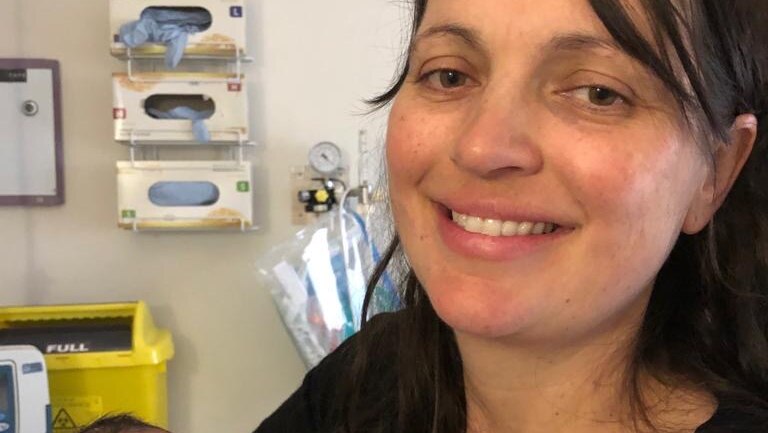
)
(318, 282)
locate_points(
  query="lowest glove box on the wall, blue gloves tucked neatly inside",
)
(184, 195)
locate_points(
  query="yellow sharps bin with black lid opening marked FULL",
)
(101, 359)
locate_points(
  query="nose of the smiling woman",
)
(497, 139)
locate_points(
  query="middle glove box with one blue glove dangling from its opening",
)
(180, 108)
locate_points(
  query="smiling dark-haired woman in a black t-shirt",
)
(580, 192)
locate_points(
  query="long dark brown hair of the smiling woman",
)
(707, 319)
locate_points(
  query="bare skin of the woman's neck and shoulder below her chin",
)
(581, 385)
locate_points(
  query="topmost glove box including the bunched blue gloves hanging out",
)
(210, 28)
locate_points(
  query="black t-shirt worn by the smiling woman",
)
(307, 409)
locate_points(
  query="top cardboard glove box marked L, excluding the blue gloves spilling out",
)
(223, 35)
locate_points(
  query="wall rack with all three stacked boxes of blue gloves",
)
(200, 106)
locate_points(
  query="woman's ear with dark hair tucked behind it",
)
(729, 158)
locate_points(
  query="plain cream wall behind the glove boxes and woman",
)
(315, 62)
